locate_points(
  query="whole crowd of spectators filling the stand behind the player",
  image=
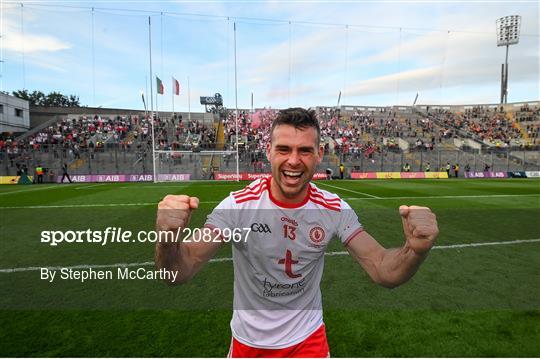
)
(352, 134)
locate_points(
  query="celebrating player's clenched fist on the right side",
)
(420, 227)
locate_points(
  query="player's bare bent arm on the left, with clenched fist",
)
(184, 257)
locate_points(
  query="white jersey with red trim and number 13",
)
(278, 269)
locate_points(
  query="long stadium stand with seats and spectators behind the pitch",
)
(101, 141)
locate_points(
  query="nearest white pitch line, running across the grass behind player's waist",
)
(228, 259)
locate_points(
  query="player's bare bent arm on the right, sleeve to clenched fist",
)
(392, 267)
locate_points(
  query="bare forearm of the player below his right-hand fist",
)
(398, 265)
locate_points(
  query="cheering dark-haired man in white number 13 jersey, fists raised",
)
(278, 269)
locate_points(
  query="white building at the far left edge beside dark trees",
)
(14, 114)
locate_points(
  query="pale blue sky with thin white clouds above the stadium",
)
(281, 54)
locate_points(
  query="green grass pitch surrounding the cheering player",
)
(471, 301)
